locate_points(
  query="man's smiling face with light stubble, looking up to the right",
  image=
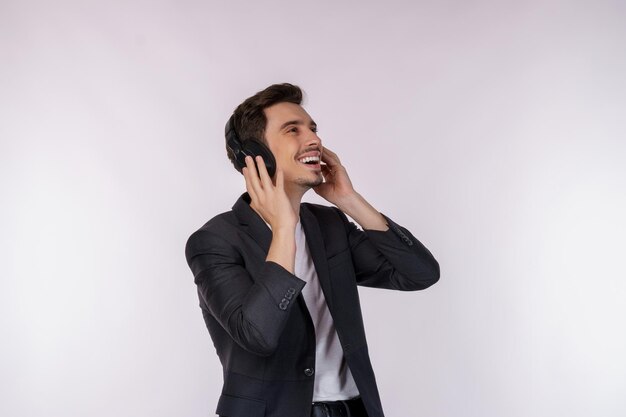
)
(291, 135)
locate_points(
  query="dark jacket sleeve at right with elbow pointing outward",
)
(393, 259)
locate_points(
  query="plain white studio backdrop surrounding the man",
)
(494, 131)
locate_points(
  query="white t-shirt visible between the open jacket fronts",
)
(333, 380)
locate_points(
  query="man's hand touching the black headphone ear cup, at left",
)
(268, 200)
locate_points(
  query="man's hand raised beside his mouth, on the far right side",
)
(337, 186)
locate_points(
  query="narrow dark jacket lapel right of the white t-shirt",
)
(315, 241)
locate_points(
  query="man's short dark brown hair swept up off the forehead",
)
(249, 118)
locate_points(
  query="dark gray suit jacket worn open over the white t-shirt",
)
(257, 318)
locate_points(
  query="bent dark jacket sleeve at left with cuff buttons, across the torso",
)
(252, 311)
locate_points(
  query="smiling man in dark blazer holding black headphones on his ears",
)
(277, 279)
